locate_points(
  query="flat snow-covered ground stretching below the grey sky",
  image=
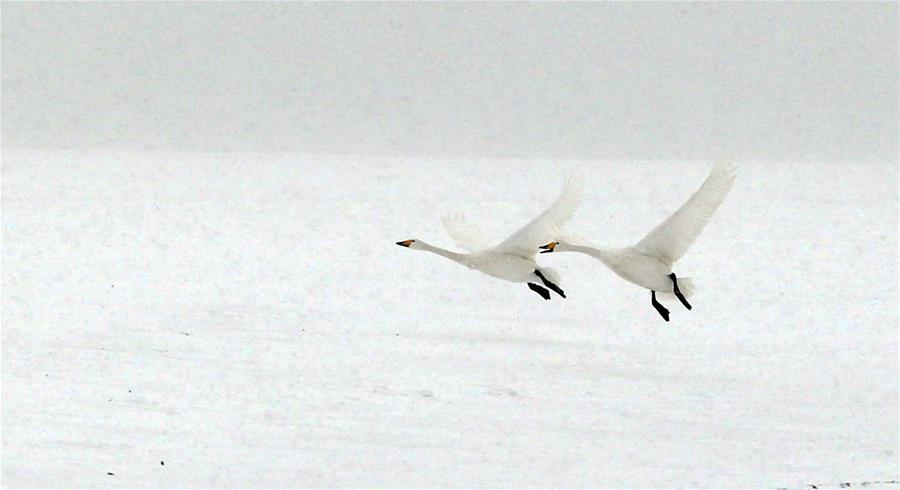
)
(248, 321)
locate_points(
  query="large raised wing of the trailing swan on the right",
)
(671, 239)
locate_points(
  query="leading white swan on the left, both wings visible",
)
(512, 259)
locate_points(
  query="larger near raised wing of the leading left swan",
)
(539, 231)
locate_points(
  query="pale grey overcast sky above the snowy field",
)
(775, 81)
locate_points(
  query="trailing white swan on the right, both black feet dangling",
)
(649, 262)
